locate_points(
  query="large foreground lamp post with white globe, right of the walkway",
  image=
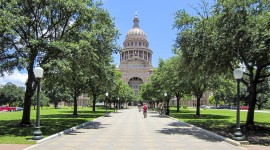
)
(238, 74)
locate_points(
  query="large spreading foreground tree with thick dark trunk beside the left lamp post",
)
(38, 32)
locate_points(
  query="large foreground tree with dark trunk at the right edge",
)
(243, 27)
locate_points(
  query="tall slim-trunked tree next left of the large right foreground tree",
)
(191, 40)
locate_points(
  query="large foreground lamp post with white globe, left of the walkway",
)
(37, 134)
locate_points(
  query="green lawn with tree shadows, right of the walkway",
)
(223, 122)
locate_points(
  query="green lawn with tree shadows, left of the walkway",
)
(51, 121)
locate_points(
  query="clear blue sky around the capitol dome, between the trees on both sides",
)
(156, 20)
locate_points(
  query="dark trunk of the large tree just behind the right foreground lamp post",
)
(251, 104)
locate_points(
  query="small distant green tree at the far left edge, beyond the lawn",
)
(10, 94)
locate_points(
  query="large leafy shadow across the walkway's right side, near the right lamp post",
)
(186, 129)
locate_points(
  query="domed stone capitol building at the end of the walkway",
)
(135, 57)
